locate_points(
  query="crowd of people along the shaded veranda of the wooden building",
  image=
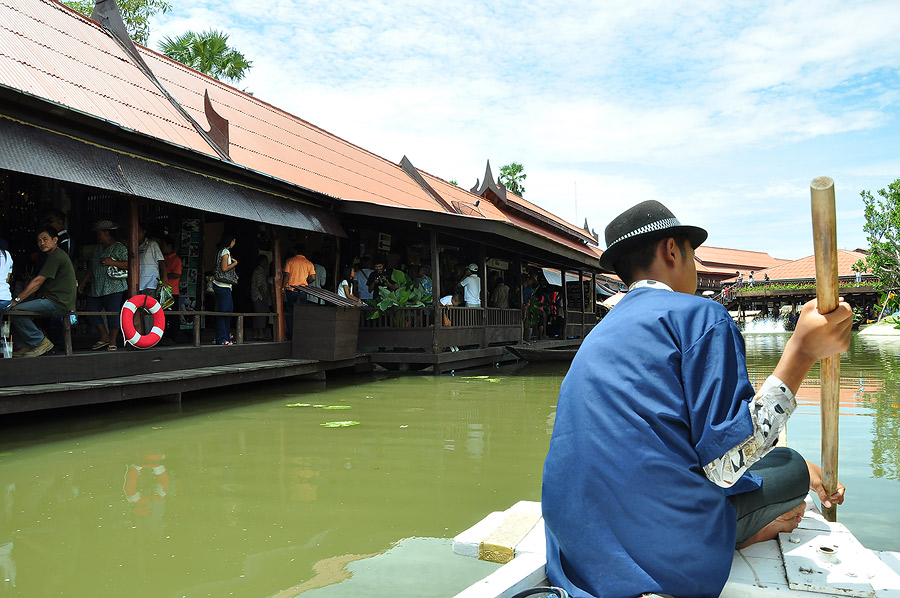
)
(49, 286)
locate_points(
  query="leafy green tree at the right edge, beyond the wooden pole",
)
(883, 230)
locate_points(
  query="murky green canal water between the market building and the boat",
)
(240, 495)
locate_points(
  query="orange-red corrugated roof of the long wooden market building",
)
(55, 53)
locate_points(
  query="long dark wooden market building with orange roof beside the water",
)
(102, 128)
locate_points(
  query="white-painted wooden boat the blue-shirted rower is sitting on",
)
(819, 558)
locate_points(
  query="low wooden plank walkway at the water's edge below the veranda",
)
(15, 399)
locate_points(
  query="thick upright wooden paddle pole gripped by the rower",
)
(825, 242)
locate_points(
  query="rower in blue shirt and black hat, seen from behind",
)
(663, 458)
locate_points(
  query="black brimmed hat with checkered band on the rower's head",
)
(642, 223)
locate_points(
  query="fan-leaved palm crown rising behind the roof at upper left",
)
(207, 52)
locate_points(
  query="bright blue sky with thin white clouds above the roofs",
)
(723, 111)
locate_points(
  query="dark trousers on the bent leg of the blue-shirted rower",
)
(785, 485)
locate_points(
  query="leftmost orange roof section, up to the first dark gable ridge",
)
(51, 51)
